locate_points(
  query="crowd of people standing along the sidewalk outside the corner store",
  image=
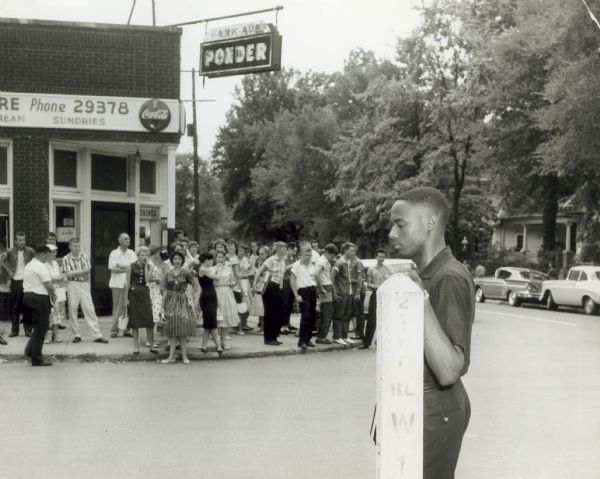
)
(172, 290)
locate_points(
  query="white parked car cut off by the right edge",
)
(581, 288)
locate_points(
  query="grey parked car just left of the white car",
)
(515, 285)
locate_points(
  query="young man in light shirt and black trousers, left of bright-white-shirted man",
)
(272, 297)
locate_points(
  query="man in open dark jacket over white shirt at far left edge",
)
(15, 260)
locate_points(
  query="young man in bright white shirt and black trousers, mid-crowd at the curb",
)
(304, 286)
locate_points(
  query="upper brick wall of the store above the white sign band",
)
(58, 57)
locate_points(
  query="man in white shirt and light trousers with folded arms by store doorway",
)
(118, 262)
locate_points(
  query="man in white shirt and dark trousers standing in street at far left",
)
(38, 293)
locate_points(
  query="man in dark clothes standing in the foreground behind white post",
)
(419, 219)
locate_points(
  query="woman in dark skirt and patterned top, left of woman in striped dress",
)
(139, 275)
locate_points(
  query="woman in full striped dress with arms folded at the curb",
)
(180, 319)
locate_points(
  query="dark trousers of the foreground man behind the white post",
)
(446, 416)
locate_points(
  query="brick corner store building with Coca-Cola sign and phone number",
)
(90, 119)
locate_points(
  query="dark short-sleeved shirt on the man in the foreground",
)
(452, 296)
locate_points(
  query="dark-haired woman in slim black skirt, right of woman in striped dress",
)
(208, 301)
